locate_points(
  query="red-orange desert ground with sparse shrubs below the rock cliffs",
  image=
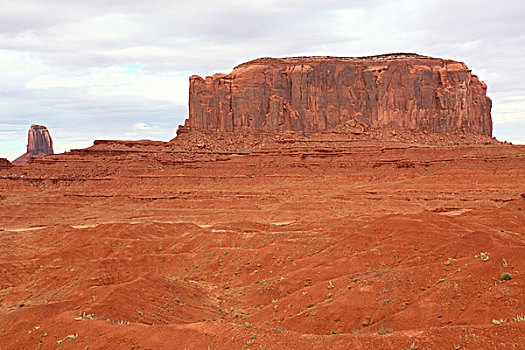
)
(336, 239)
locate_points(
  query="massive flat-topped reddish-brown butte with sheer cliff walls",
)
(312, 94)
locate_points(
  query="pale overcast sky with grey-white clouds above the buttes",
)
(100, 69)
